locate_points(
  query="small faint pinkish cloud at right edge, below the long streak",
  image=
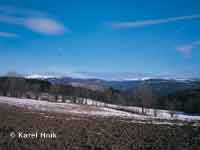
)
(186, 49)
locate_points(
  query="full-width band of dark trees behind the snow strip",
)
(143, 96)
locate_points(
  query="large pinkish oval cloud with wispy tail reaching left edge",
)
(33, 20)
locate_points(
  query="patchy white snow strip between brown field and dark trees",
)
(104, 110)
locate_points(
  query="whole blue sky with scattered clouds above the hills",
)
(75, 36)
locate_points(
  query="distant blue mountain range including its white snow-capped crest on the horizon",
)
(158, 84)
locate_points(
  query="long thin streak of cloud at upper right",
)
(135, 24)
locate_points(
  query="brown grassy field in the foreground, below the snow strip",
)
(76, 133)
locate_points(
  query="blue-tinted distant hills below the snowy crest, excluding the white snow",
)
(161, 86)
